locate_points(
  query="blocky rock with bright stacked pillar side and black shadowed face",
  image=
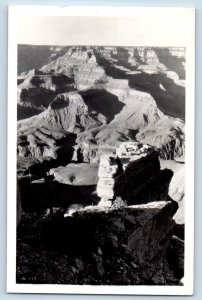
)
(133, 174)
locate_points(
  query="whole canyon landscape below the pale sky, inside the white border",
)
(100, 168)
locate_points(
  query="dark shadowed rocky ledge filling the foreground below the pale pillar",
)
(117, 246)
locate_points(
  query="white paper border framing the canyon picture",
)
(184, 20)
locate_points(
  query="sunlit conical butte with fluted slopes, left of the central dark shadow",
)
(68, 112)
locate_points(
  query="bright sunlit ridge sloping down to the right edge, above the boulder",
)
(150, 125)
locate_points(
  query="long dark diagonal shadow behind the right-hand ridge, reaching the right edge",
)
(170, 101)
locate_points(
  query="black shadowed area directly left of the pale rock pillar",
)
(41, 194)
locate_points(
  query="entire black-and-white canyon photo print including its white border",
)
(100, 152)
